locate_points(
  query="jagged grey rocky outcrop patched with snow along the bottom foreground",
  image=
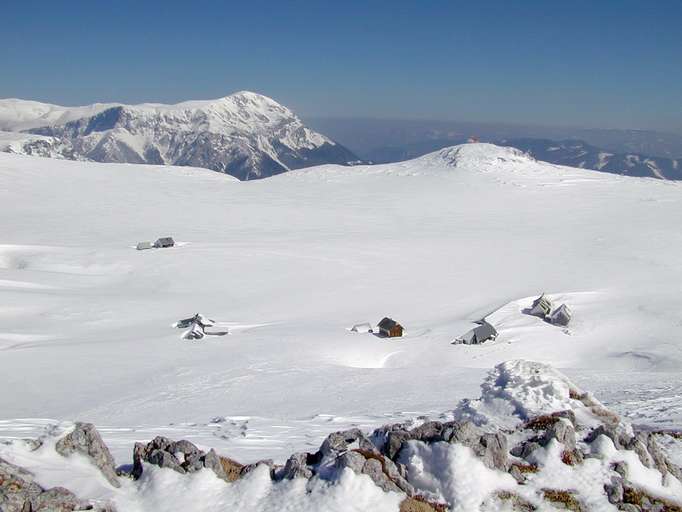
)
(422, 462)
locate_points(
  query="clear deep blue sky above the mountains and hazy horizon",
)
(585, 63)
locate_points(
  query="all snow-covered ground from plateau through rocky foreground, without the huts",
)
(287, 265)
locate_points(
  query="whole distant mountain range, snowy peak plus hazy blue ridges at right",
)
(250, 136)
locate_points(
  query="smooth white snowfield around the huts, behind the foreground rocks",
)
(289, 263)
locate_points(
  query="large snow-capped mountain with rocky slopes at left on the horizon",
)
(245, 134)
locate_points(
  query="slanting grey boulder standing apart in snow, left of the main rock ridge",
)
(85, 439)
